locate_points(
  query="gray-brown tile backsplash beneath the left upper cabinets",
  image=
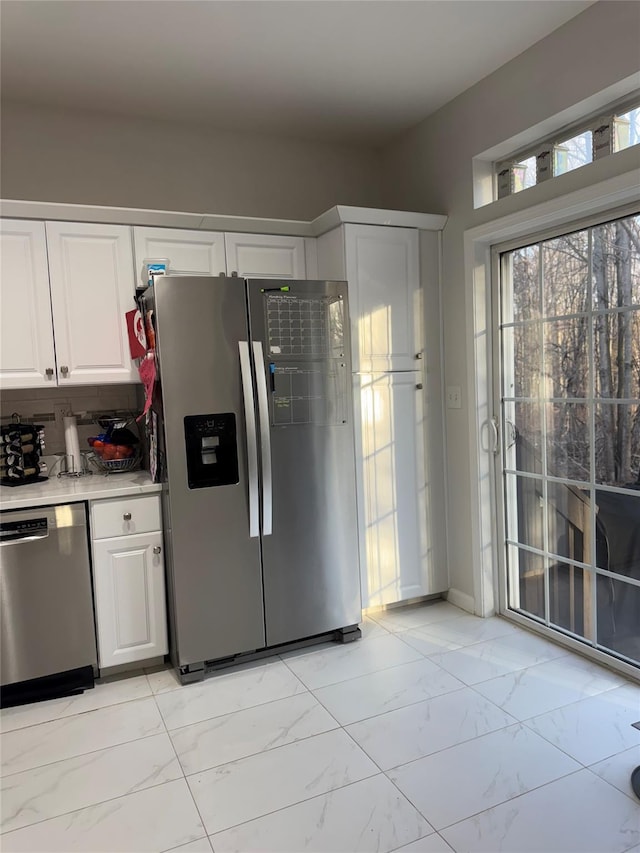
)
(48, 406)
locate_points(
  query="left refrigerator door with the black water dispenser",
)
(212, 465)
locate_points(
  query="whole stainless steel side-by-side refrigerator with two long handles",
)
(255, 442)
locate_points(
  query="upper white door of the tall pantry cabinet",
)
(384, 295)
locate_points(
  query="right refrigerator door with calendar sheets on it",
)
(301, 347)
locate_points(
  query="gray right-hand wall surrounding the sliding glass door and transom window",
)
(430, 169)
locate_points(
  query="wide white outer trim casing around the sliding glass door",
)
(482, 596)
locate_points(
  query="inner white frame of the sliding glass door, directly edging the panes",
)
(496, 299)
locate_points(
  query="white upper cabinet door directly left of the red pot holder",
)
(92, 287)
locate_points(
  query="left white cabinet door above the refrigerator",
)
(193, 252)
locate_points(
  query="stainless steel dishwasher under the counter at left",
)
(47, 627)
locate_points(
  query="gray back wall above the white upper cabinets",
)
(91, 158)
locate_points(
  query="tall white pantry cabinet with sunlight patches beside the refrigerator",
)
(398, 557)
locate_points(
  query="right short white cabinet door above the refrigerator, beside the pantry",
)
(265, 256)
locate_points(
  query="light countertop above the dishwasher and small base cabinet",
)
(57, 490)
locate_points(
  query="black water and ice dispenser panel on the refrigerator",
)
(212, 451)
